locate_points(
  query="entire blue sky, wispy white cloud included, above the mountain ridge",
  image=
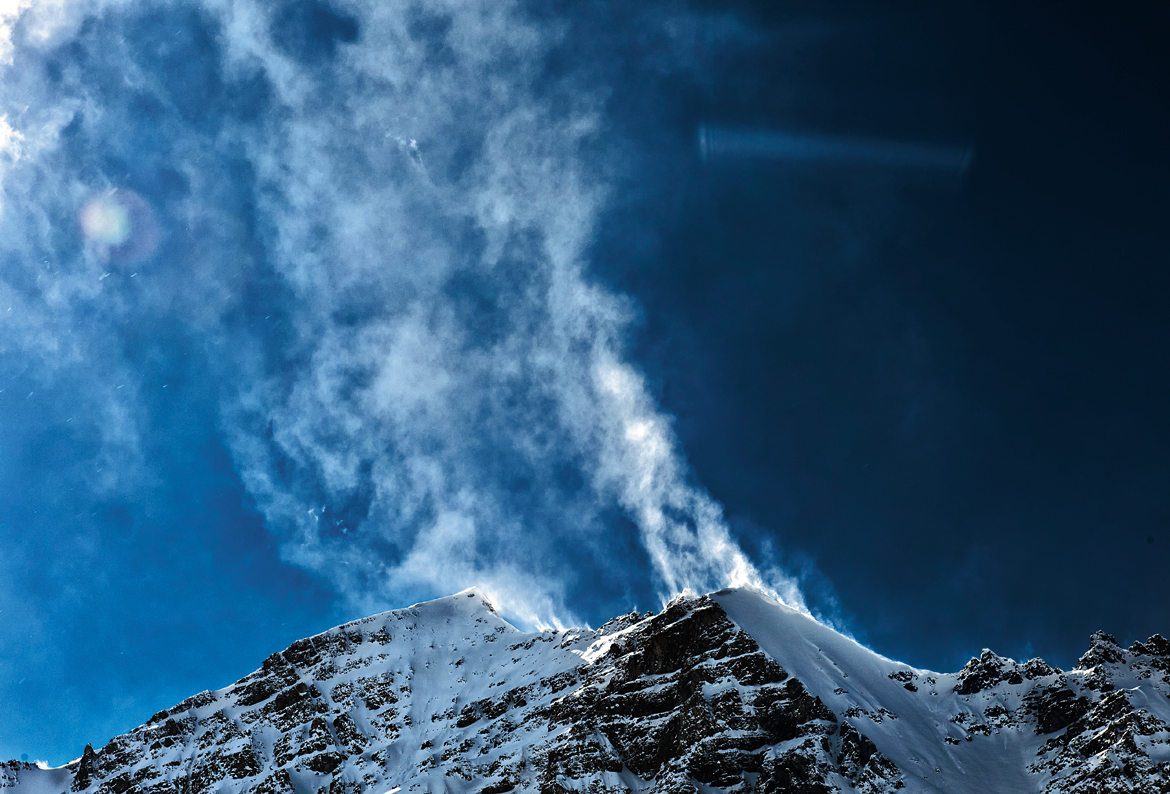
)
(320, 310)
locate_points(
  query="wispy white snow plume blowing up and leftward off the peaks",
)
(371, 225)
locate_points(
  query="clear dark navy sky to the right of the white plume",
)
(949, 402)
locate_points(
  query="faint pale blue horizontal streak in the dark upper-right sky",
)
(725, 142)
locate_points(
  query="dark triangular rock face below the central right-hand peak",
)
(690, 698)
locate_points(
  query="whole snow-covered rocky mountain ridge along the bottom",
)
(724, 693)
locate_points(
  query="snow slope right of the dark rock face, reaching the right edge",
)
(975, 731)
